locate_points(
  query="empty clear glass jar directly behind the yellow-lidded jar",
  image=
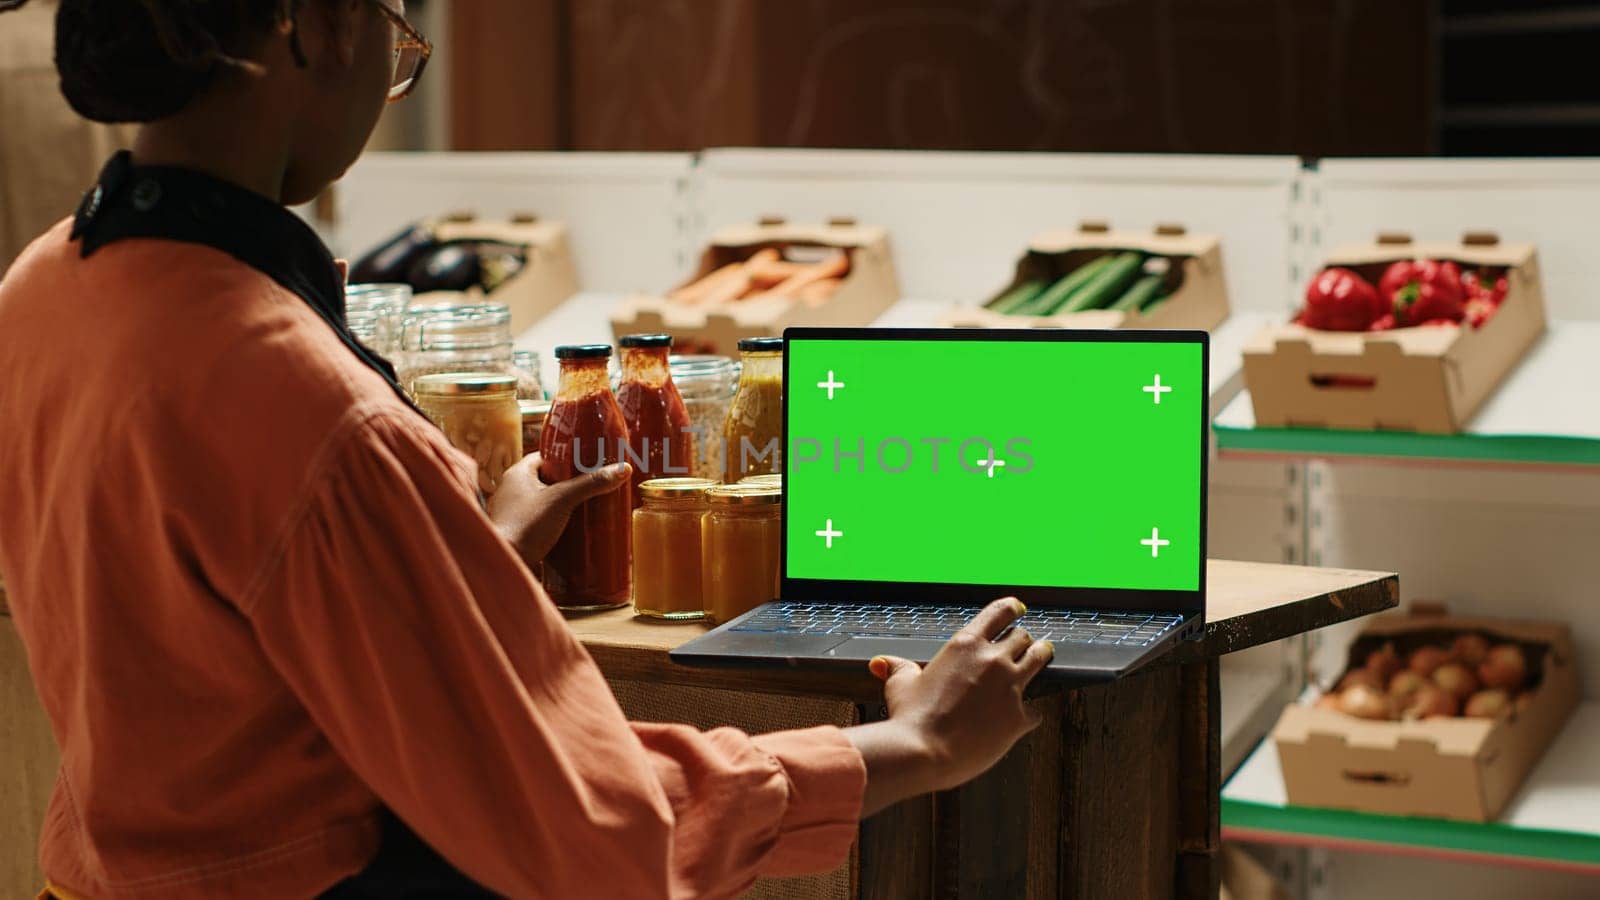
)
(455, 339)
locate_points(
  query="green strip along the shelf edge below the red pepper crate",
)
(1470, 448)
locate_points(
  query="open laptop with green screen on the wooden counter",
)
(932, 472)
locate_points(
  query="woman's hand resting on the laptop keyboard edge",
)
(956, 718)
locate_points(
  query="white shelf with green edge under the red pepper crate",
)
(1537, 420)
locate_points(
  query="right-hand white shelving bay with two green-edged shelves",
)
(1500, 521)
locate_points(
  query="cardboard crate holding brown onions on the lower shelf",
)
(1463, 769)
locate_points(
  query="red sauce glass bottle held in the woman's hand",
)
(590, 566)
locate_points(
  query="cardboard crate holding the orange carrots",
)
(866, 292)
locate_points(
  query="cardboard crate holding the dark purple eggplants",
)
(546, 283)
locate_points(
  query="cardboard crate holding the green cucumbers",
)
(1199, 297)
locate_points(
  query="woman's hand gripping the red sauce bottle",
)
(534, 515)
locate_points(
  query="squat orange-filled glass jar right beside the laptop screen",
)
(740, 548)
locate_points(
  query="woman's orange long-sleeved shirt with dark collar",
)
(263, 605)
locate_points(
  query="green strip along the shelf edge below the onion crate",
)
(1479, 838)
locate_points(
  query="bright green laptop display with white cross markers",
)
(1066, 464)
